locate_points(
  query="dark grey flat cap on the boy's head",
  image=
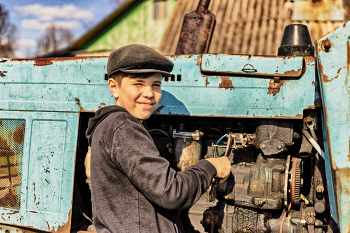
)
(137, 58)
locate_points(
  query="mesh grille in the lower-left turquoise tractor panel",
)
(11, 154)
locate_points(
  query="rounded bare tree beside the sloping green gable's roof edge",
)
(53, 39)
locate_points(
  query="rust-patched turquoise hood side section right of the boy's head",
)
(192, 92)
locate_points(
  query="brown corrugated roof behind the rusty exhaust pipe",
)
(246, 26)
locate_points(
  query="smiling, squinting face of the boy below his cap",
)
(139, 96)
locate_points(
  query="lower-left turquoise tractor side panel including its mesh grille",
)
(45, 159)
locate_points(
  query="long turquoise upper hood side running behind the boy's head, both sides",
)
(77, 84)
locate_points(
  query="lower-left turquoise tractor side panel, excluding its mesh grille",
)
(47, 170)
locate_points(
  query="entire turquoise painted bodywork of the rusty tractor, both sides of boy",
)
(41, 101)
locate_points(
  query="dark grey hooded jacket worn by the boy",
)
(133, 188)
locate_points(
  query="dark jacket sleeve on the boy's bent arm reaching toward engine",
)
(135, 155)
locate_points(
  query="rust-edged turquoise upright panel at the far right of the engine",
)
(333, 59)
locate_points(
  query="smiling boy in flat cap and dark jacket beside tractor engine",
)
(133, 188)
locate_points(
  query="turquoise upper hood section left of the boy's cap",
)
(69, 85)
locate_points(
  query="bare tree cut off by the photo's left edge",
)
(7, 34)
